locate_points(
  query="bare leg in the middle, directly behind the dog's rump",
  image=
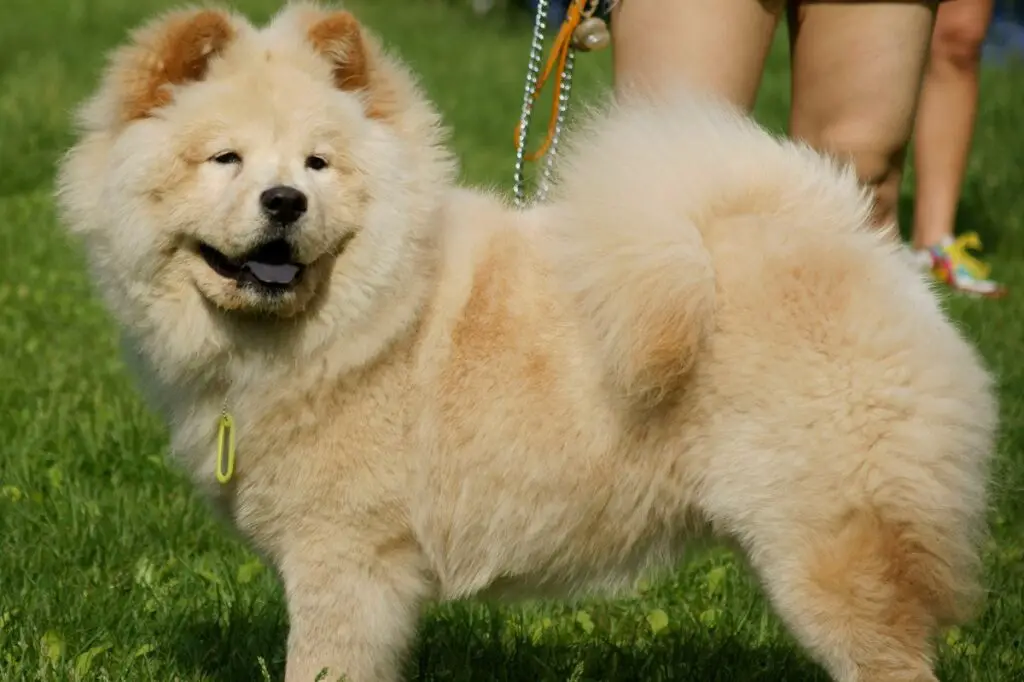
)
(857, 77)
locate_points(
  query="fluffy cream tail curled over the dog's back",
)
(647, 190)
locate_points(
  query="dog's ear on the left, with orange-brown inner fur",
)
(173, 51)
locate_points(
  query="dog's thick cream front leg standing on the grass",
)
(353, 611)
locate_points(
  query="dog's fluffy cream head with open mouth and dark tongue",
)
(260, 174)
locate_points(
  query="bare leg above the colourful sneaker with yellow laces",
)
(946, 117)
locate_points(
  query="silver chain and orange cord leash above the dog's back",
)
(581, 30)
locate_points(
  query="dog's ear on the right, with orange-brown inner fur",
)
(356, 65)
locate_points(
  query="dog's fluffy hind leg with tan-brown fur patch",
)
(867, 588)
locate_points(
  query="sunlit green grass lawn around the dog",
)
(111, 569)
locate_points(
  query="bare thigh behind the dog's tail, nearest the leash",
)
(713, 46)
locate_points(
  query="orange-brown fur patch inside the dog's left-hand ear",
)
(181, 54)
